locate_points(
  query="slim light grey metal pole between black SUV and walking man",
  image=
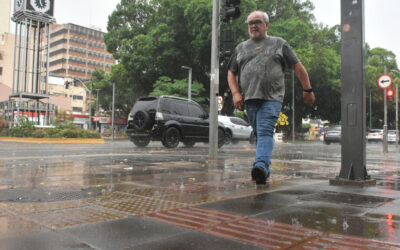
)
(214, 82)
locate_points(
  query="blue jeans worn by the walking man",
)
(263, 116)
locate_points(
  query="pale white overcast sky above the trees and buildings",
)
(381, 17)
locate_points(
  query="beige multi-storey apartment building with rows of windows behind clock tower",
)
(75, 51)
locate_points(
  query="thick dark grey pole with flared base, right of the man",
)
(353, 170)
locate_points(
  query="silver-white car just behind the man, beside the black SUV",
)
(236, 129)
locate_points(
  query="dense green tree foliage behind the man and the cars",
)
(153, 39)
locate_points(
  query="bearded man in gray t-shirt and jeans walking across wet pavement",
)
(259, 64)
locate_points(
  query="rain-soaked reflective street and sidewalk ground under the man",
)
(117, 196)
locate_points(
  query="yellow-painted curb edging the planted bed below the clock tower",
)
(53, 140)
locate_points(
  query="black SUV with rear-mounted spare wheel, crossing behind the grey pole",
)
(169, 120)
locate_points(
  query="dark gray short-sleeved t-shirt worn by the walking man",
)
(260, 67)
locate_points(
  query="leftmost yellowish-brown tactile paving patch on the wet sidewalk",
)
(74, 216)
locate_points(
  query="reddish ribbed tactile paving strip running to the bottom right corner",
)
(262, 233)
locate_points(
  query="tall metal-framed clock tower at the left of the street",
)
(31, 61)
